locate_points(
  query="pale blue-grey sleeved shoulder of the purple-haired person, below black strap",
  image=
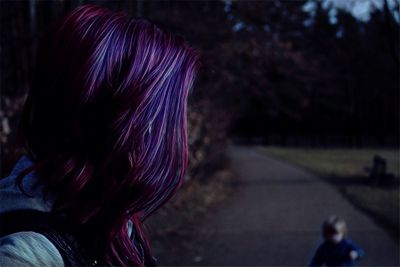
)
(28, 248)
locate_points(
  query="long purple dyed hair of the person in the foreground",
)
(105, 123)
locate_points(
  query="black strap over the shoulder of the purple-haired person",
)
(72, 253)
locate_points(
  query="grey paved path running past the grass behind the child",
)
(274, 218)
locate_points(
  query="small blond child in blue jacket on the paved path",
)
(336, 250)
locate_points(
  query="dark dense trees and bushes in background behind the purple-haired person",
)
(269, 73)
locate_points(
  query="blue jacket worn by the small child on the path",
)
(330, 254)
